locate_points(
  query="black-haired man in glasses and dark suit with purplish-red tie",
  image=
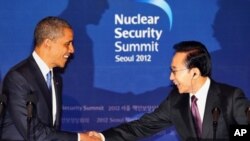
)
(217, 103)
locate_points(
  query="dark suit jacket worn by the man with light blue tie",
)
(23, 80)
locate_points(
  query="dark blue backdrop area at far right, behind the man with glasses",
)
(232, 30)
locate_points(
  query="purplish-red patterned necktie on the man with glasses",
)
(196, 116)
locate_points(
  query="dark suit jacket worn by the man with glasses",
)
(175, 110)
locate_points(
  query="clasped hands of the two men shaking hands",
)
(91, 136)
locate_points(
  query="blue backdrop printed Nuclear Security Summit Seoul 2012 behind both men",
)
(123, 50)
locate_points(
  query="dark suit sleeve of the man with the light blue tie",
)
(17, 89)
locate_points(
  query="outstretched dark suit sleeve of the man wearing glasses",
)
(147, 125)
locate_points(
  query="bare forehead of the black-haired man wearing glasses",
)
(178, 60)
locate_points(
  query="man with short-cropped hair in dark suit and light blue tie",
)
(34, 97)
